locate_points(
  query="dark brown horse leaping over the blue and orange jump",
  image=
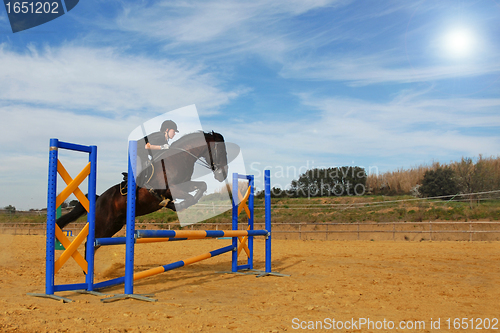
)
(154, 190)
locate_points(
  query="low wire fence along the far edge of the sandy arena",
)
(396, 231)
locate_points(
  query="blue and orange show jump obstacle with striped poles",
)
(242, 240)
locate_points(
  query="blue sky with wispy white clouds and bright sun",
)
(297, 84)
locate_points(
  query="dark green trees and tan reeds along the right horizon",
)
(467, 176)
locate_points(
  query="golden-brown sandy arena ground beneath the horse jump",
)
(341, 280)
